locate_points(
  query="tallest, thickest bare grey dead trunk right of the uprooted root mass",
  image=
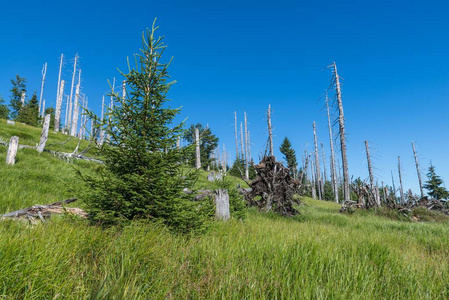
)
(341, 120)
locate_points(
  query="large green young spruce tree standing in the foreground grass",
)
(142, 176)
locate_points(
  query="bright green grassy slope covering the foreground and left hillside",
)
(318, 254)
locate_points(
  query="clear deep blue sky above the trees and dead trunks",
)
(243, 55)
